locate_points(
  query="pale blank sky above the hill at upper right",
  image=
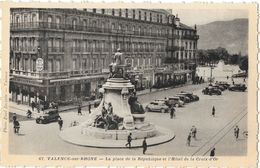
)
(191, 17)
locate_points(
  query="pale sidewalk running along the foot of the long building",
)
(21, 109)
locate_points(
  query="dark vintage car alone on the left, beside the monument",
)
(48, 116)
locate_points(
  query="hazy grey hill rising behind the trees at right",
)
(232, 35)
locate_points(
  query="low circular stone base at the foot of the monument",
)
(115, 138)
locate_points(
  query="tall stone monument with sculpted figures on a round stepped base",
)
(118, 114)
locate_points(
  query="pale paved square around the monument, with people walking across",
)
(231, 110)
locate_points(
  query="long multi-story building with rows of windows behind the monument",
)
(77, 45)
